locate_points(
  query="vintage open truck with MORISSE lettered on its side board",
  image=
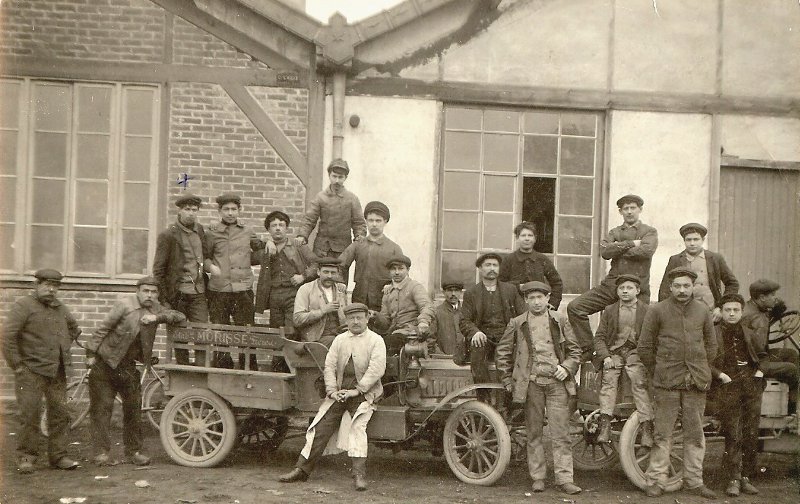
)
(429, 402)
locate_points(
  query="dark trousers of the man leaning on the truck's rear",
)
(104, 385)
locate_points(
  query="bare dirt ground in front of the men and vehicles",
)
(248, 477)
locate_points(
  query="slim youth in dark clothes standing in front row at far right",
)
(742, 384)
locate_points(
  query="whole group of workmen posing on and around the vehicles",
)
(701, 331)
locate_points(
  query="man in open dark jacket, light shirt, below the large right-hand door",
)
(714, 277)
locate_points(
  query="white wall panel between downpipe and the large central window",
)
(393, 157)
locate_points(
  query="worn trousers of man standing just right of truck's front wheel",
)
(554, 399)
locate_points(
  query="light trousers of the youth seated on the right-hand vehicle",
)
(609, 383)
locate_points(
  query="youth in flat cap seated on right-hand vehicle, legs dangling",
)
(615, 350)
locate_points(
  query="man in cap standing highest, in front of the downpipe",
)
(338, 212)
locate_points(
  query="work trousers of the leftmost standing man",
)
(30, 388)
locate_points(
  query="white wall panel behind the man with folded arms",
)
(666, 159)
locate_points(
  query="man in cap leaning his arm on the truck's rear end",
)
(125, 335)
